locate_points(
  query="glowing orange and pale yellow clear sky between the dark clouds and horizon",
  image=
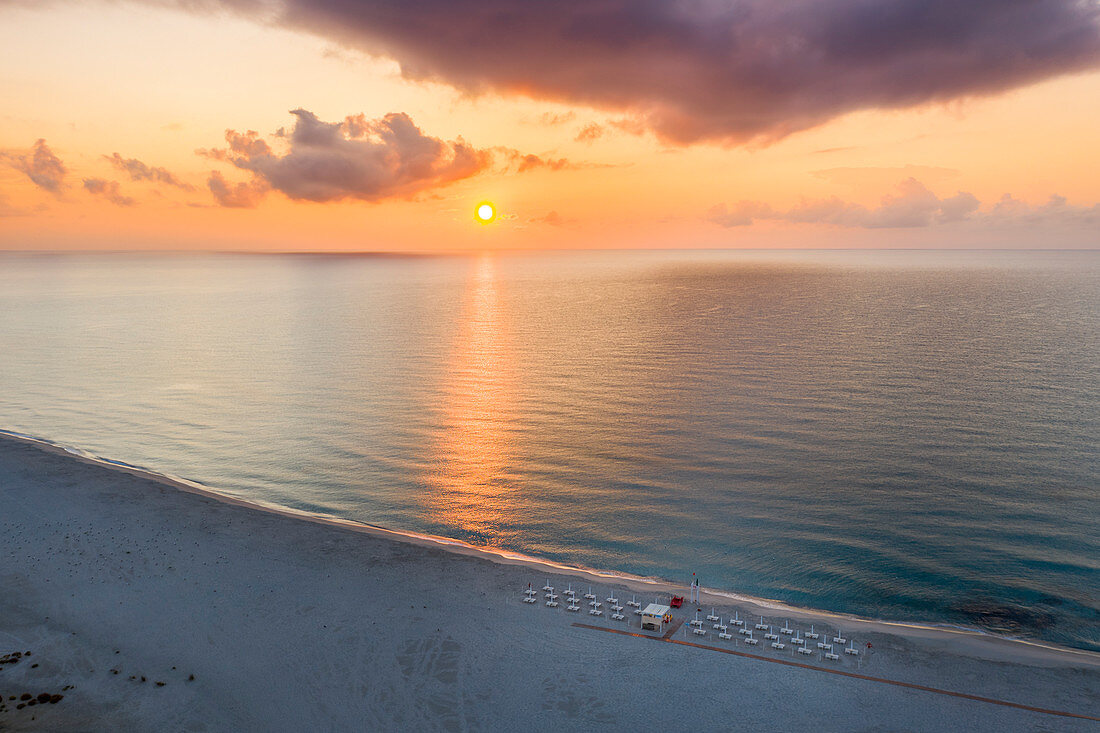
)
(157, 85)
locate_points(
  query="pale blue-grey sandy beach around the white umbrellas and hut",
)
(116, 582)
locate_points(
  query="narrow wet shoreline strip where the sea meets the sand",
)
(989, 644)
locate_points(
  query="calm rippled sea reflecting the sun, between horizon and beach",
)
(904, 435)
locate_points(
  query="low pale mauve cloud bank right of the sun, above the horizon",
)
(911, 205)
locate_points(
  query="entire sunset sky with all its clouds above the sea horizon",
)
(345, 126)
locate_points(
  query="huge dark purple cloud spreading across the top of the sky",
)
(709, 70)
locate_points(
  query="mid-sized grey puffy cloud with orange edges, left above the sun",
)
(369, 160)
